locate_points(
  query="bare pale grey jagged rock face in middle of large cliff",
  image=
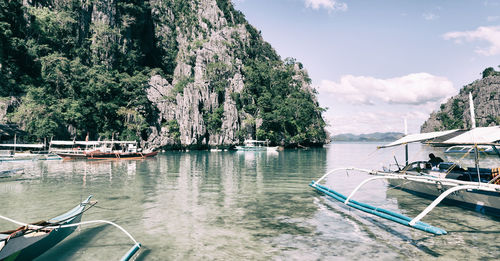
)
(198, 49)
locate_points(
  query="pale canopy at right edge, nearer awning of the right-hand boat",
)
(480, 135)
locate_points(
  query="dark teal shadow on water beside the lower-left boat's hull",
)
(66, 249)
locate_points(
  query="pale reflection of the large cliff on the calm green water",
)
(209, 198)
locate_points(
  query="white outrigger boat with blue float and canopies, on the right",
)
(474, 187)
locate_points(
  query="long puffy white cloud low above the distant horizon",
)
(413, 89)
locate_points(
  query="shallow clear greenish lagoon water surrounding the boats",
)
(204, 205)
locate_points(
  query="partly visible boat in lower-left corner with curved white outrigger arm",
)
(31, 240)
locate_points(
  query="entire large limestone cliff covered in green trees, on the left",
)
(85, 67)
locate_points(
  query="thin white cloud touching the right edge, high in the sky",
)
(490, 34)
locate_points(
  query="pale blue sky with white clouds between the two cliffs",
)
(377, 63)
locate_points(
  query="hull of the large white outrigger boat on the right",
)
(482, 201)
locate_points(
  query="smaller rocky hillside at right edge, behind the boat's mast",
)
(455, 113)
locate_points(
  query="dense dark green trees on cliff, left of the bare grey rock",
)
(71, 82)
